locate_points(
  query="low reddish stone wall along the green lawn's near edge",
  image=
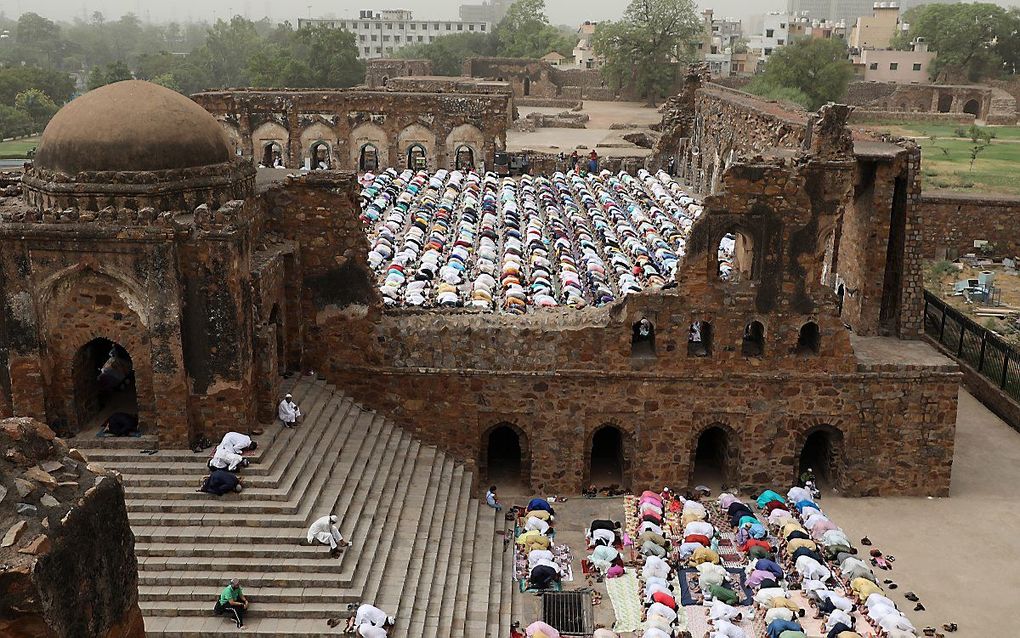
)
(952, 222)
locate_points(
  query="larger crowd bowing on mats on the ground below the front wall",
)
(774, 568)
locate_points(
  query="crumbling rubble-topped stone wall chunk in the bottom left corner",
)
(68, 548)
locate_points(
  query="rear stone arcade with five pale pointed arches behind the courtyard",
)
(340, 124)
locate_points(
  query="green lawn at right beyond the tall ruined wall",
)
(946, 157)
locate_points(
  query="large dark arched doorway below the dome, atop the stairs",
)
(105, 383)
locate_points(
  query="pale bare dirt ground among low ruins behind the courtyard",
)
(596, 135)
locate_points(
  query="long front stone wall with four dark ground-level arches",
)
(558, 377)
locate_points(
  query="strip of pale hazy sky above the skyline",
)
(560, 12)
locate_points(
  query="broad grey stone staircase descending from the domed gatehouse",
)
(423, 549)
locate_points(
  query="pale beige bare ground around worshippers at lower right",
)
(956, 554)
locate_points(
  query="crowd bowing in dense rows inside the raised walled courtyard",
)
(455, 239)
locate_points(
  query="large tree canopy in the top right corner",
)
(974, 41)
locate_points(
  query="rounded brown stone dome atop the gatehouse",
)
(131, 126)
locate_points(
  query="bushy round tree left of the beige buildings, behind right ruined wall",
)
(818, 69)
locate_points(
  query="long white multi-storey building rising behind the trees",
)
(381, 34)
